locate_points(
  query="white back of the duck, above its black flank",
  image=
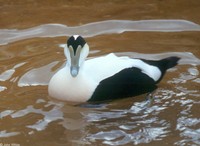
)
(106, 66)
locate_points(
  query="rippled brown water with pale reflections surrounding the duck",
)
(32, 34)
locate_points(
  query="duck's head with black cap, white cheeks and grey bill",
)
(76, 52)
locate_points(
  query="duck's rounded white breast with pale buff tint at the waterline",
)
(64, 87)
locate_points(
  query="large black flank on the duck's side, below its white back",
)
(127, 83)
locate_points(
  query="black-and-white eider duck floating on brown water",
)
(104, 78)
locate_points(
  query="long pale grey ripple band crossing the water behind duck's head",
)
(97, 28)
